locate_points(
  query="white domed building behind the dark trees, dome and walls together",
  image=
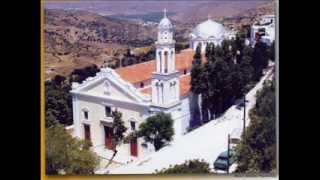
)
(209, 32)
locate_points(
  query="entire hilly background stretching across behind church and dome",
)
(79, 34)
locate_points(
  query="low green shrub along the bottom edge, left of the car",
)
(188, 167)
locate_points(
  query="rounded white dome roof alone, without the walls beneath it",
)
(209, 29)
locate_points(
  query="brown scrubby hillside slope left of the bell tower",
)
(75, 39)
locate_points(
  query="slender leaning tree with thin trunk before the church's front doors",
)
(118, 130)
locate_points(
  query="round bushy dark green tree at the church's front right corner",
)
(157, 130)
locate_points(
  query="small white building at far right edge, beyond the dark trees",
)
(263, 29)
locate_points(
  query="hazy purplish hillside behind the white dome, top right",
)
(231, 13)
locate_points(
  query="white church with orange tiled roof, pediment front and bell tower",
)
(138, 91)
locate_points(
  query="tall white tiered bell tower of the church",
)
(165, 81)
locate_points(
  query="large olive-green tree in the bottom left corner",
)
(65, 154)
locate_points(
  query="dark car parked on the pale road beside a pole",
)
(221, 163)
